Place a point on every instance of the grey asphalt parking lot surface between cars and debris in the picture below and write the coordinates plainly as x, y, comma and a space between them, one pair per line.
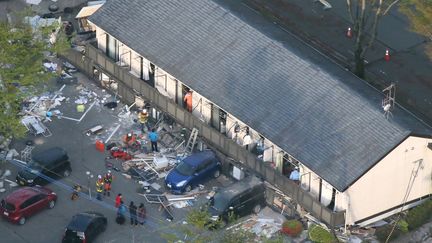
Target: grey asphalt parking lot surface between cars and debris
49, 225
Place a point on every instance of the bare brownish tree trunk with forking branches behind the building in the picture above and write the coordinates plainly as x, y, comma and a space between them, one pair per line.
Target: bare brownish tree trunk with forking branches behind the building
365, 16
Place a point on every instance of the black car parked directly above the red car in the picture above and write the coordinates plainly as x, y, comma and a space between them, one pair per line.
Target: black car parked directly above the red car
51, 163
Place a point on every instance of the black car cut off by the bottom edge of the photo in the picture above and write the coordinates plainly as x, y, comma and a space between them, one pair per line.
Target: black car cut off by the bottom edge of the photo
85, 227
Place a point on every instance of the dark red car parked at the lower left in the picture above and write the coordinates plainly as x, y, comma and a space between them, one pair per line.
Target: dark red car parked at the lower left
26, 201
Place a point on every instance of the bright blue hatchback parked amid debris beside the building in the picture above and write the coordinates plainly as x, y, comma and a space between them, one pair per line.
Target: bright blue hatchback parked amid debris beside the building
192, 171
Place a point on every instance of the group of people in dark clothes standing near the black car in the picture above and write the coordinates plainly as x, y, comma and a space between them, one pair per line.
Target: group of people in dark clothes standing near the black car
137, 215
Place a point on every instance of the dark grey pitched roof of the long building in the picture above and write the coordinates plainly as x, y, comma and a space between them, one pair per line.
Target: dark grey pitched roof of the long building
313, 109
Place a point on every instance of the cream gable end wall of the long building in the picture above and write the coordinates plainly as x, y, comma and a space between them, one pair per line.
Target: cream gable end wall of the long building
386, 184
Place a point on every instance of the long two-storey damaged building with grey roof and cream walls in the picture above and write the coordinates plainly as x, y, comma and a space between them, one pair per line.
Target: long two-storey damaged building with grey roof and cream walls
284, 104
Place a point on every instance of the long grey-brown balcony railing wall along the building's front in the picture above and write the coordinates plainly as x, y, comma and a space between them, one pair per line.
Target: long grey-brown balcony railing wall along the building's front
129, 86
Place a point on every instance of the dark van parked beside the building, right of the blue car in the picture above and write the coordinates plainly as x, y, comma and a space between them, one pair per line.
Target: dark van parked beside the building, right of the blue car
240, 199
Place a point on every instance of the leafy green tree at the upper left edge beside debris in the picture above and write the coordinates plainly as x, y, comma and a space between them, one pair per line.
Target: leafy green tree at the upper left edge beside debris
21, 54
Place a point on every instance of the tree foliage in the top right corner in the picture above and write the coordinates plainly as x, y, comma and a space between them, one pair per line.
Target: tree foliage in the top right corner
419, 13
